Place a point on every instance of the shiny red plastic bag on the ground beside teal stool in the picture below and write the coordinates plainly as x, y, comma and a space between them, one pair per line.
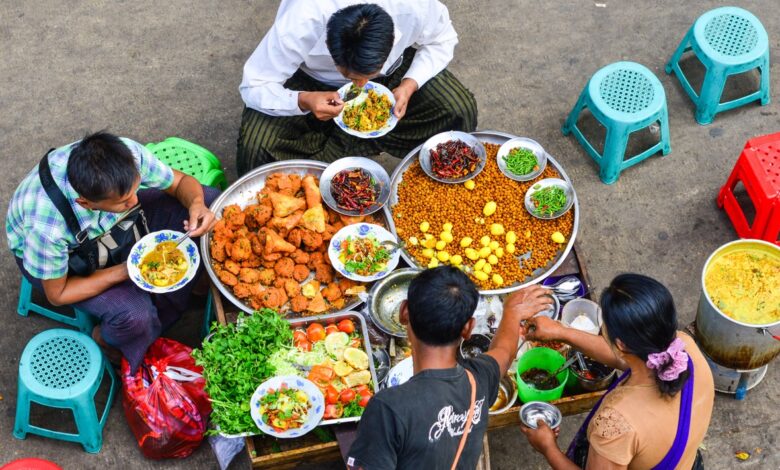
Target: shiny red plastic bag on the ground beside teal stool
165, 402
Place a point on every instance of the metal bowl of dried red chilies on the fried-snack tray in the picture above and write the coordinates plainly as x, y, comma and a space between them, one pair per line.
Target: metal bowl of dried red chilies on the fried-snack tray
355, 186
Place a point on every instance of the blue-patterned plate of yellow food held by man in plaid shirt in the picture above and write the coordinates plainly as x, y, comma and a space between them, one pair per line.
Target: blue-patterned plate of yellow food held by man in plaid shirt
157, 265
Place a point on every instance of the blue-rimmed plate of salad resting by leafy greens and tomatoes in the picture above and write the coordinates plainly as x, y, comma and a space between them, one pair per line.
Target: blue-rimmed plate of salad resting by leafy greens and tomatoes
287, 407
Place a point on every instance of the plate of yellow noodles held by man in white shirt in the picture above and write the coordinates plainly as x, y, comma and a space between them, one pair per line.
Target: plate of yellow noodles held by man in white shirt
370, 115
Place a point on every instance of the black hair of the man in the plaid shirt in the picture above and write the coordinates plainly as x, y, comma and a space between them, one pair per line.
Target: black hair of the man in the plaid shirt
101, 166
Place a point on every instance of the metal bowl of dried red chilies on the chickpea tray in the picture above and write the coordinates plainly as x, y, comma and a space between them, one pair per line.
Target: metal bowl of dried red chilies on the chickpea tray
452, 157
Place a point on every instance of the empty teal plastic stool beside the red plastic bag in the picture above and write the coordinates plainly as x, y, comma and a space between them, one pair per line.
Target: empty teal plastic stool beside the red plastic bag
63, 368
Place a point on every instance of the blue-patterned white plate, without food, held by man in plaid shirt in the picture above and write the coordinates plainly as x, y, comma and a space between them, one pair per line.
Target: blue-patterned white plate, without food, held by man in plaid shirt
145, 245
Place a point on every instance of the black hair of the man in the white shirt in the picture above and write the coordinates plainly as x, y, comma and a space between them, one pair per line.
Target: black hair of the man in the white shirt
360, 37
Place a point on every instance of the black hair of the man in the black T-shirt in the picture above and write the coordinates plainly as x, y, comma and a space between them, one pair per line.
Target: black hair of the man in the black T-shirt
441, 301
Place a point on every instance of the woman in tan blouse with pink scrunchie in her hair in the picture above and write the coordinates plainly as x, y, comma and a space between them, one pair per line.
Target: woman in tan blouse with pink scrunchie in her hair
658, 412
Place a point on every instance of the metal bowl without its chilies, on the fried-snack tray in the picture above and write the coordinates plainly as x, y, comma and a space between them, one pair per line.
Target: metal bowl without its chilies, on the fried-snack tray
378, 174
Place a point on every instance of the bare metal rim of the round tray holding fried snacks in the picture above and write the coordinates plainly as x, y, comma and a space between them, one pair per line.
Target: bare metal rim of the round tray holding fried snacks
243, 192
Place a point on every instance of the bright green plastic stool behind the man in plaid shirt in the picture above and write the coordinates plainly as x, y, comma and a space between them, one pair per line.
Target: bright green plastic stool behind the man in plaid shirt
191, 159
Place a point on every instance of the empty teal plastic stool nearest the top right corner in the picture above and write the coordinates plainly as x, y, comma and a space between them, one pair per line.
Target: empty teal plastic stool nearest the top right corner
727, 41
